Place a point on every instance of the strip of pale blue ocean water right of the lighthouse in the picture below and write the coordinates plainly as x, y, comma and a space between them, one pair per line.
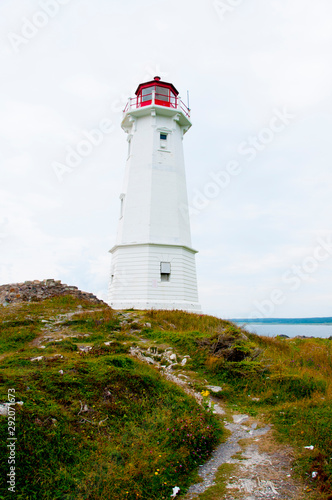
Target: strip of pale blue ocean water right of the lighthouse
272, 330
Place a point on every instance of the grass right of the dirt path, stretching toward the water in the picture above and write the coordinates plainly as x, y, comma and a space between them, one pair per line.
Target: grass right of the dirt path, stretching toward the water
287, 380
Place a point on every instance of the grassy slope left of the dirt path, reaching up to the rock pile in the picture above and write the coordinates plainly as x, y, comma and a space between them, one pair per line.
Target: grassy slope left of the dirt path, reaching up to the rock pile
96, 424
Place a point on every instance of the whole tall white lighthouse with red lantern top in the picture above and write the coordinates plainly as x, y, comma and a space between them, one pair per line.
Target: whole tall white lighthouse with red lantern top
153, 262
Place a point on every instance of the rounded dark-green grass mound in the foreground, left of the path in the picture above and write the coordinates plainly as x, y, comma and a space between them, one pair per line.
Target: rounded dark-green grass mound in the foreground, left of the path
126, 440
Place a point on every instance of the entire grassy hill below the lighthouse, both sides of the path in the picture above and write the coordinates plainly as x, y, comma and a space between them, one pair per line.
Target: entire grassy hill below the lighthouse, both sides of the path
98, 423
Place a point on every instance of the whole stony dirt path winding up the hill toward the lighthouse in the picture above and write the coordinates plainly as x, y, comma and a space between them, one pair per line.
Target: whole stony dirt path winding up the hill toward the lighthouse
250, 464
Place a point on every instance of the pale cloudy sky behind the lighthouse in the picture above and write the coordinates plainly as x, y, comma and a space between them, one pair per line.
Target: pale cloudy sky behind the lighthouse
258, 156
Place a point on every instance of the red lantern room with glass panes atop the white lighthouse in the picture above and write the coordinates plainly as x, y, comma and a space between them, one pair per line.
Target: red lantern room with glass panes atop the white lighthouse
157, 92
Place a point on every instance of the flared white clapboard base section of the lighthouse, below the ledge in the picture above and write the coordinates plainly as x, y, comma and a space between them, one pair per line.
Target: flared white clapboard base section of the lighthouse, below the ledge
153, 276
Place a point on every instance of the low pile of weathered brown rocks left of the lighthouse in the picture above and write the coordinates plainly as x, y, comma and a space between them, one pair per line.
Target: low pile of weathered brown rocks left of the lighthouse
31, 291
